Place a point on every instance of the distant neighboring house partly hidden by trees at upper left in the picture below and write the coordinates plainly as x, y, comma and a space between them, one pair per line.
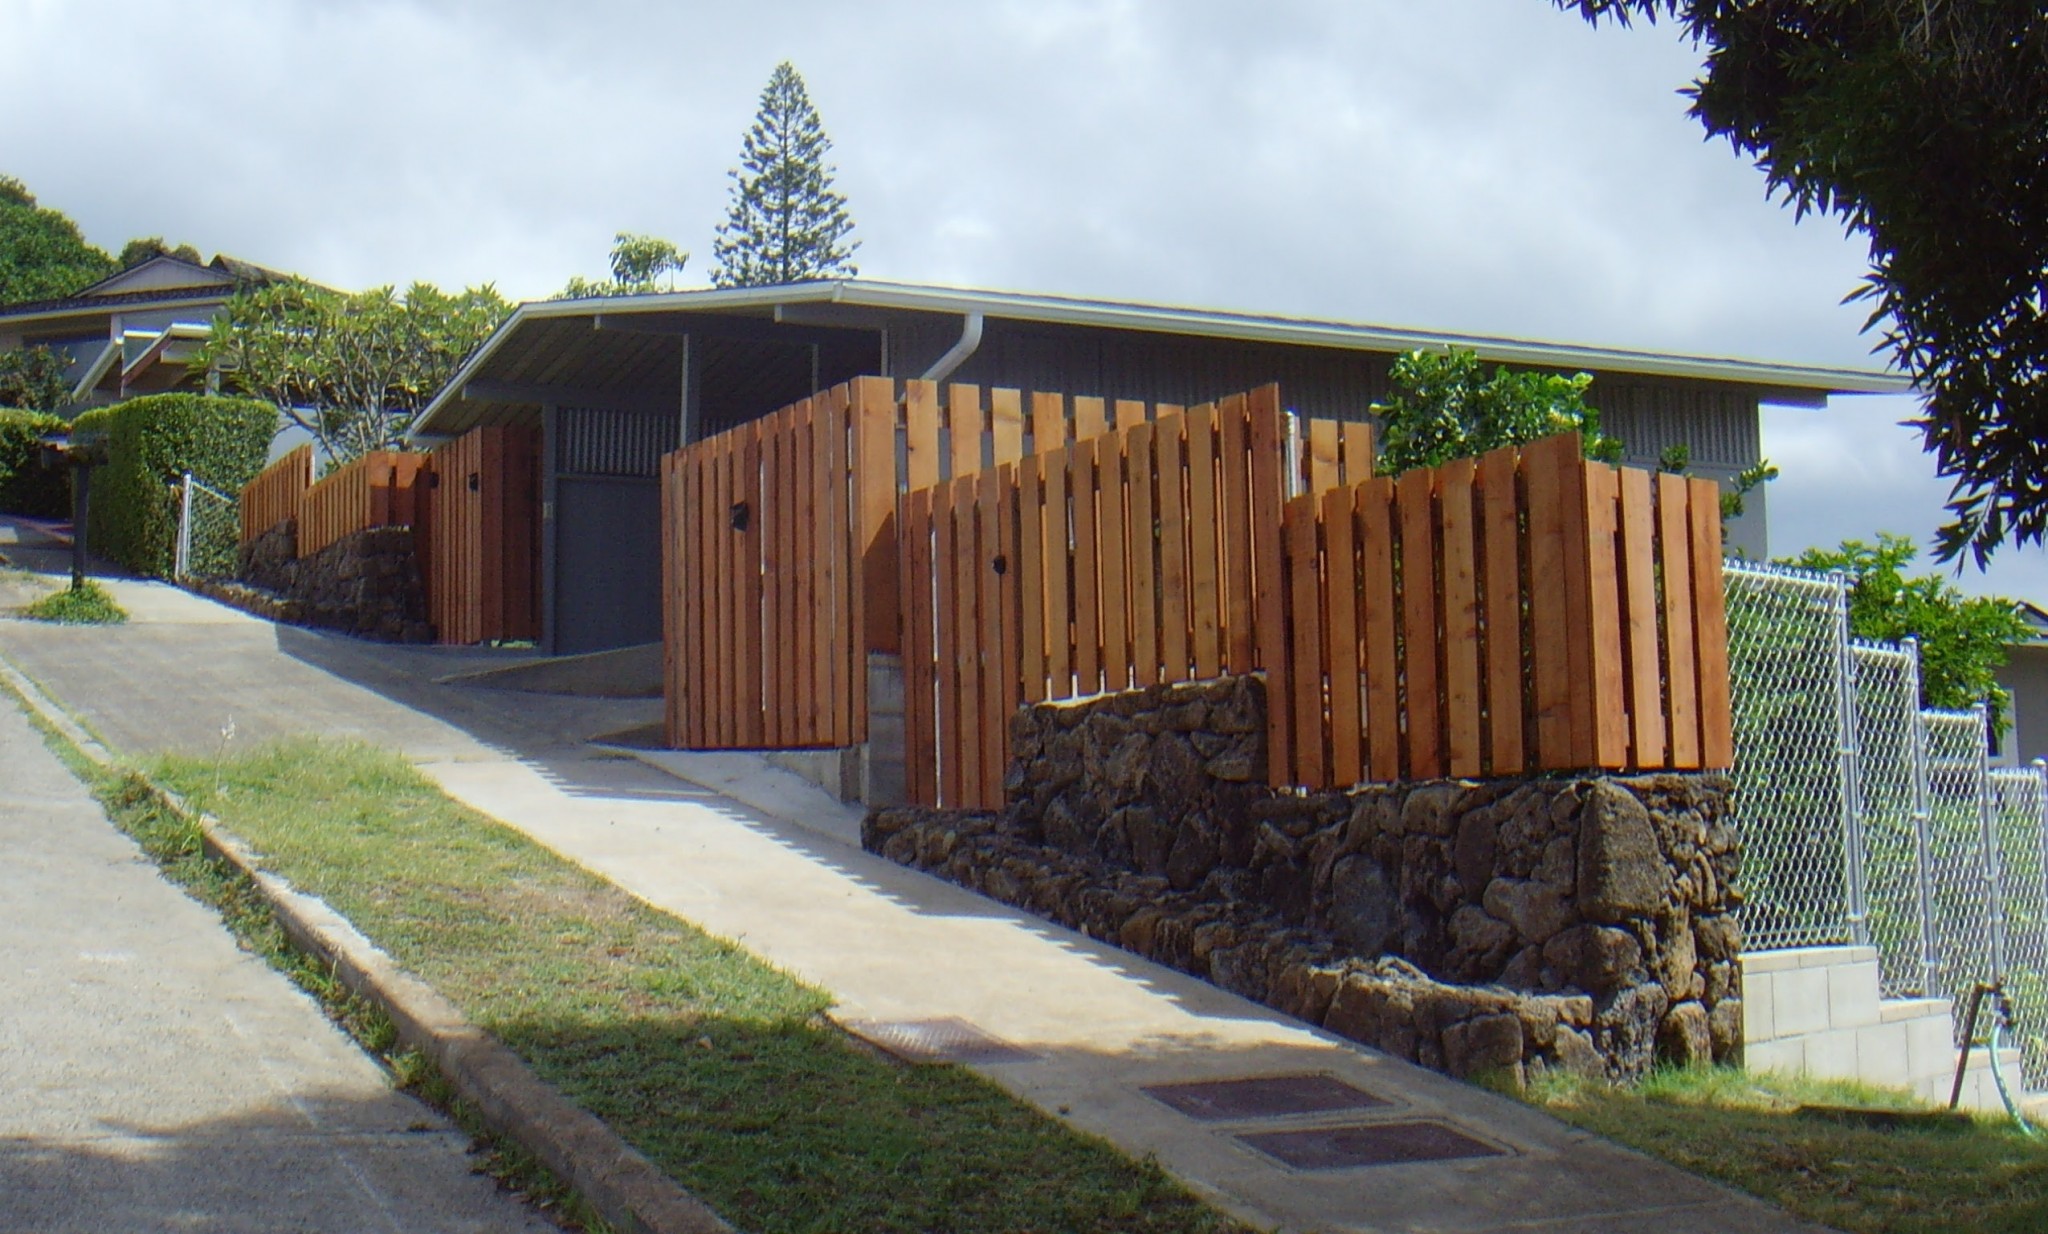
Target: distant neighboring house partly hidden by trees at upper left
132, 333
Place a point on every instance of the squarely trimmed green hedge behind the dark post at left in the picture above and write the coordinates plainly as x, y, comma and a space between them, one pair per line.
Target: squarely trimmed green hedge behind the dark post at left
153, 443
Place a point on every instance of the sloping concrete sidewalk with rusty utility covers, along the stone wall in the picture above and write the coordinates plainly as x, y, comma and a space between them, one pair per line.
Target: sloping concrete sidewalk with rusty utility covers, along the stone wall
1080, 1028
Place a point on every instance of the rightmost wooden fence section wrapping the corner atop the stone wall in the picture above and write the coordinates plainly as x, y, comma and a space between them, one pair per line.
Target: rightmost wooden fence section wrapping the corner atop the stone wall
1523, 613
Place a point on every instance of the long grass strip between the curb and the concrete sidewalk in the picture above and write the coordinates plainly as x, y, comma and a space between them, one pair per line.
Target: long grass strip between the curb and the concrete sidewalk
716, 1065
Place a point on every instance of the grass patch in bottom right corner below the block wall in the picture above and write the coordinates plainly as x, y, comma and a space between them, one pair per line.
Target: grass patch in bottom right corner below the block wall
1791, 1141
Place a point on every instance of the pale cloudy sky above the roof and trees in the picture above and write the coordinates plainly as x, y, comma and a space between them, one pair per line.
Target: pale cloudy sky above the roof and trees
1486, 167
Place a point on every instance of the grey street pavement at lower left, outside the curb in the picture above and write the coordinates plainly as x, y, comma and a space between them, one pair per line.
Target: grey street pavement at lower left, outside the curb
163, 1079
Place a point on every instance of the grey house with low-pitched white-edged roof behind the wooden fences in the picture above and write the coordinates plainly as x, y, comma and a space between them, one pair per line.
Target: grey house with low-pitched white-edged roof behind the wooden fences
615, 384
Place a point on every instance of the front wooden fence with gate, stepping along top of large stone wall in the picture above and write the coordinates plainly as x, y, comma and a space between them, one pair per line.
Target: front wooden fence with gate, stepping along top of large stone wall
1523, 613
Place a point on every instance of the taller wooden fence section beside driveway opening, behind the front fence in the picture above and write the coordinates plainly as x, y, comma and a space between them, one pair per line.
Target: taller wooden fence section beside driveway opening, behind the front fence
781, 560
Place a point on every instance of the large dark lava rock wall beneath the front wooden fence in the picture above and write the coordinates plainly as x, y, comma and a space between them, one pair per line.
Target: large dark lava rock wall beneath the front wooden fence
1580, 922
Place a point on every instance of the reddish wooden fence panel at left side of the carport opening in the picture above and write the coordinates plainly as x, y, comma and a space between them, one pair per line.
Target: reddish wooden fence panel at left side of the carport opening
480, 537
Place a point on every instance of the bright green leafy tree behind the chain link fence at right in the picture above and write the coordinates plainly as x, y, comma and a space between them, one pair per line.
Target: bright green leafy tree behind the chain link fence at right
1961, 640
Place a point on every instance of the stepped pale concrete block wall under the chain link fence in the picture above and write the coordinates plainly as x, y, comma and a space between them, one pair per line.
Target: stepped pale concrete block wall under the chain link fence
1820, 1012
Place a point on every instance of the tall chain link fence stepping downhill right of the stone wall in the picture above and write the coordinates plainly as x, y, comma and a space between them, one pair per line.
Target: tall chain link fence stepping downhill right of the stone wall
1873, 822
